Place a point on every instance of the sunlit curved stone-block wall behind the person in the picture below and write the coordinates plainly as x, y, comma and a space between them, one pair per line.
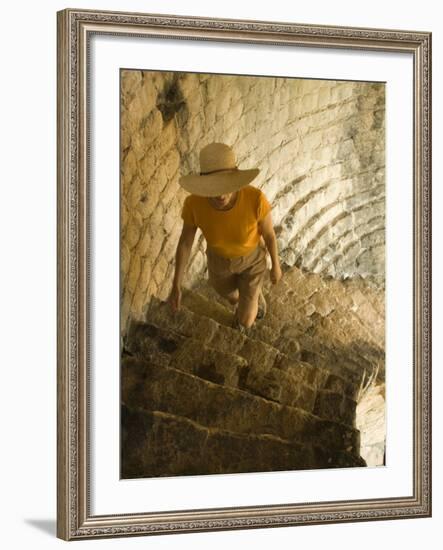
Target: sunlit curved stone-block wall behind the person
320, 147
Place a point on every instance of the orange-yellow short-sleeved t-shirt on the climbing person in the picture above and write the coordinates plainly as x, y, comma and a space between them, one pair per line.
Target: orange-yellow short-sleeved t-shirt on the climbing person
230, 233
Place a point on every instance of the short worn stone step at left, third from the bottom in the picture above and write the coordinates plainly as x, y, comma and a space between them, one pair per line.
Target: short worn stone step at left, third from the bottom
165, 347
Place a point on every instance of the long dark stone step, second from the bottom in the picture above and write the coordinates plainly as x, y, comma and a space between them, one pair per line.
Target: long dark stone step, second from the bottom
157, 387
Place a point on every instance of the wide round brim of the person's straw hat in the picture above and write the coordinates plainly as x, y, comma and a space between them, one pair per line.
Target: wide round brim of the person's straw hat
219, 183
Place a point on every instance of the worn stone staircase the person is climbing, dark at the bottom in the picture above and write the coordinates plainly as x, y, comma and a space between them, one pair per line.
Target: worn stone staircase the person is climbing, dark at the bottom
198, 397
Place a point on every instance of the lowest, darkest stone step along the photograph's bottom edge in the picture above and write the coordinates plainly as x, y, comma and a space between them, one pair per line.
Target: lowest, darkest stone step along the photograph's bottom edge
156, 444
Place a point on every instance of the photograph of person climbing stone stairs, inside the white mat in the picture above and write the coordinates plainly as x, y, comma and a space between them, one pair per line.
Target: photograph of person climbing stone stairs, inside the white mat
252, 273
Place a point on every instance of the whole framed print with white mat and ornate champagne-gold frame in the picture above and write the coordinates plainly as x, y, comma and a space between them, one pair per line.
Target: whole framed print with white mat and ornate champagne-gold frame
243, 274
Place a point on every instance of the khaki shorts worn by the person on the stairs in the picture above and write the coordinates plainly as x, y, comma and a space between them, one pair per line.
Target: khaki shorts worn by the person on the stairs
244, 274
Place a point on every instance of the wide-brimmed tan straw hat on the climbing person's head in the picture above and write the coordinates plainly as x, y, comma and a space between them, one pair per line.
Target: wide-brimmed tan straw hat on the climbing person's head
219, 173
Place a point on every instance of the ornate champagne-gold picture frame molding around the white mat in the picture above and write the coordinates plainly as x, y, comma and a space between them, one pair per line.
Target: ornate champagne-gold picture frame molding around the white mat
74, 519
